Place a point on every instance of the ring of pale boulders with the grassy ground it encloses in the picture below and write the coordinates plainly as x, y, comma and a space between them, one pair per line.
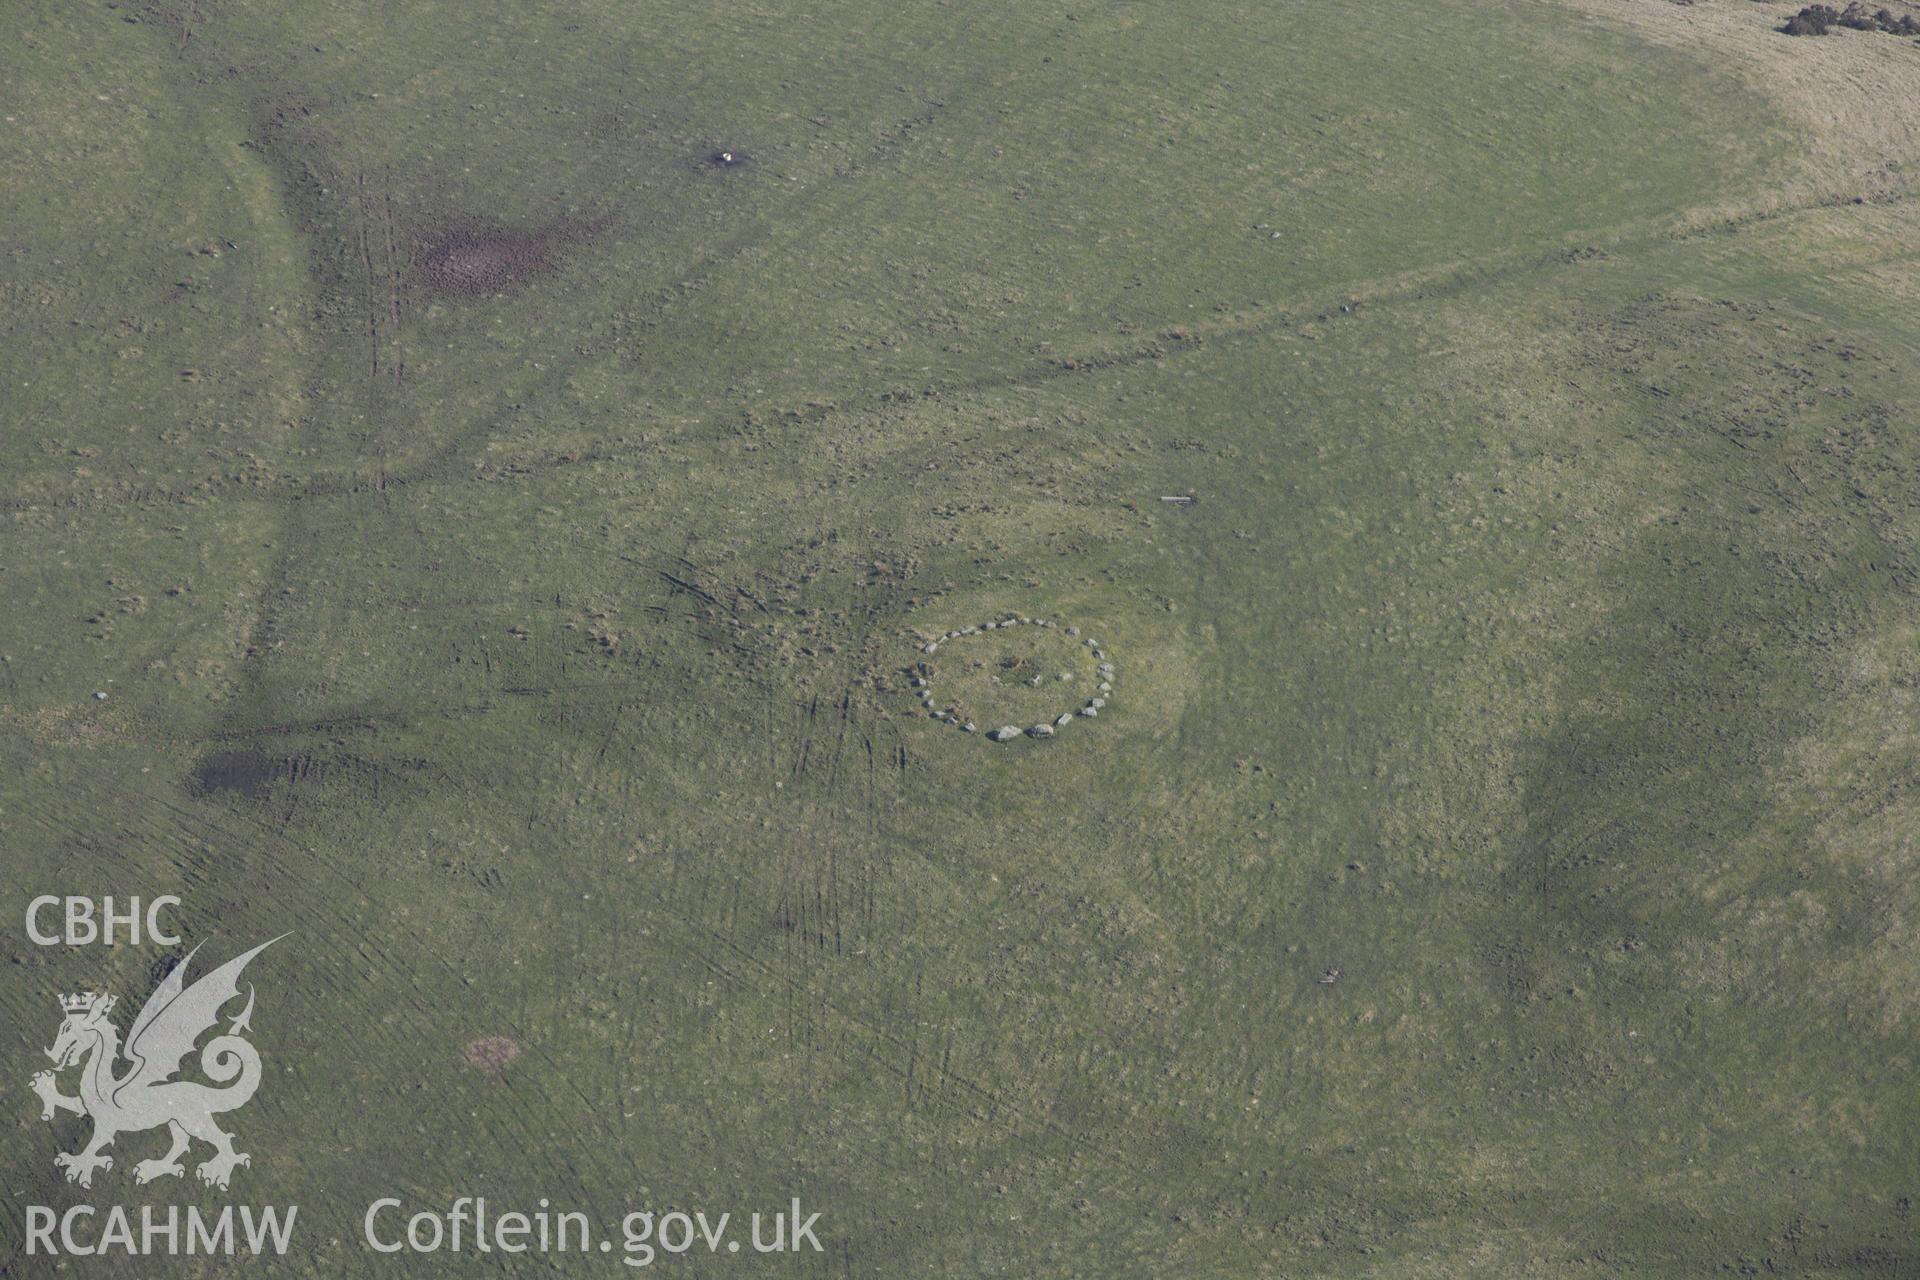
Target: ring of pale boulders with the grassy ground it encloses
1015, 671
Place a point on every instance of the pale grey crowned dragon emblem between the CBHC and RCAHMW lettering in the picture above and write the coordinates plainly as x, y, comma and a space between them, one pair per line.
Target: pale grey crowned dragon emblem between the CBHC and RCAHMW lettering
145, 1097
